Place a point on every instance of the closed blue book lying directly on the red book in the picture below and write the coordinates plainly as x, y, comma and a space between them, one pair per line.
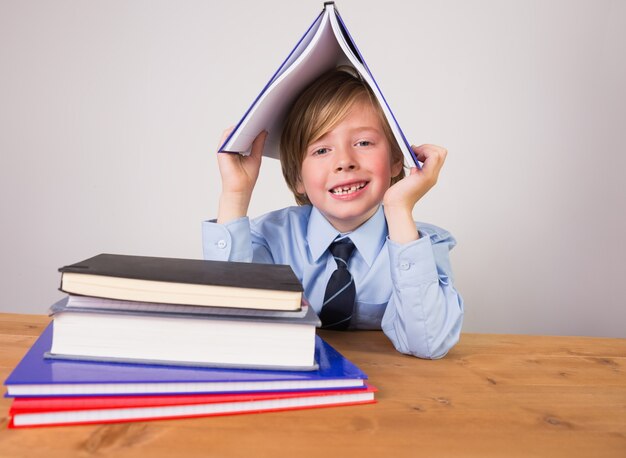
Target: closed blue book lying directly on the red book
36, 376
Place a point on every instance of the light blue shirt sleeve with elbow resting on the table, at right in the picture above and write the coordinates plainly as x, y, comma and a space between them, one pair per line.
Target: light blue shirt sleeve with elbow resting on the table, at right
425, 313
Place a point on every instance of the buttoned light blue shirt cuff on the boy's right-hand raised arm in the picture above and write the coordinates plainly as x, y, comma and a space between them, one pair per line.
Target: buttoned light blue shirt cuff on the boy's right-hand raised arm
413, 263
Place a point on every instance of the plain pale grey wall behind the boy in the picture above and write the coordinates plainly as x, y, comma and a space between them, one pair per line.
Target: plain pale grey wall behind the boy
110, 112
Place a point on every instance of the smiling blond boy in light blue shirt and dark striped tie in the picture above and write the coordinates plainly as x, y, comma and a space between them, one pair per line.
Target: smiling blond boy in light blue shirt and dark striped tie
343, 165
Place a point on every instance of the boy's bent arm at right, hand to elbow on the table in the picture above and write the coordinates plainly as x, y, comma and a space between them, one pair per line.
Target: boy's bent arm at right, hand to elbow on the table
424, 314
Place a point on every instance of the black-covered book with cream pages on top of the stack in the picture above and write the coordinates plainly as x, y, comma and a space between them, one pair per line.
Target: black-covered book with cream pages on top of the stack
184, 281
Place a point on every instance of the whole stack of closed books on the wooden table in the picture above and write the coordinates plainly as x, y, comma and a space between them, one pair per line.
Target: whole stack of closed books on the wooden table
142, 338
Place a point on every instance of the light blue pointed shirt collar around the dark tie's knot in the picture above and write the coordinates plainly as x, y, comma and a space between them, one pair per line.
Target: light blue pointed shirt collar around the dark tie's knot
368, 238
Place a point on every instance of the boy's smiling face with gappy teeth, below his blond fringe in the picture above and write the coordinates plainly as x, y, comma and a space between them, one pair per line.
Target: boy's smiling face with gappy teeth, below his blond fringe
346, 173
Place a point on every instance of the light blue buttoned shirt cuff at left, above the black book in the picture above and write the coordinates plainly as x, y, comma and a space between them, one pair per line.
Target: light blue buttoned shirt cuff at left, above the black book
227, 242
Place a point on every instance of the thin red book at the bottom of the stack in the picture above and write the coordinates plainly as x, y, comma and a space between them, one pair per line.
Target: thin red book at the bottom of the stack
29, 412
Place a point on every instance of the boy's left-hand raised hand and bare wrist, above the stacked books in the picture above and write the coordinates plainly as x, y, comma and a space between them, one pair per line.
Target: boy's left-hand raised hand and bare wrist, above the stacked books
239, 174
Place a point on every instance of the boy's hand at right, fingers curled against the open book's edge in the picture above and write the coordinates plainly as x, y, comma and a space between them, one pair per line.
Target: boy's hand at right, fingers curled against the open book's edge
405, 193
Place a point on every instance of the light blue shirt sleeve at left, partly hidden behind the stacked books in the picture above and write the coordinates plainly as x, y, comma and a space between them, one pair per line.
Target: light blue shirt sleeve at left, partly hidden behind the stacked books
233, 241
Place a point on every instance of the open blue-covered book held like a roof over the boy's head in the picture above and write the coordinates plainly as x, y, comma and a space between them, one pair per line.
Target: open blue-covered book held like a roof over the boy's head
325, 45
